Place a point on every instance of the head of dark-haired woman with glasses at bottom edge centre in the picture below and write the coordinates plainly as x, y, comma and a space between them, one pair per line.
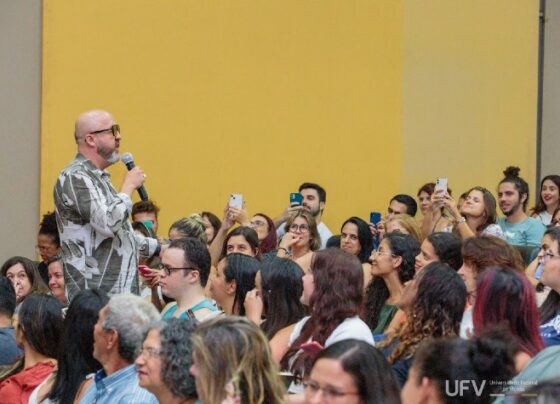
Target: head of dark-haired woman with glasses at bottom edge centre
351, 371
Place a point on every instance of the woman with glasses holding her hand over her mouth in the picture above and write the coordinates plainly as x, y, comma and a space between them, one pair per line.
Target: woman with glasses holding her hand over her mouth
300, 240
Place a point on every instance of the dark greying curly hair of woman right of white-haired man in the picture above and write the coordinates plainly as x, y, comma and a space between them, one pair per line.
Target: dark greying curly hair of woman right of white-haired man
176, 356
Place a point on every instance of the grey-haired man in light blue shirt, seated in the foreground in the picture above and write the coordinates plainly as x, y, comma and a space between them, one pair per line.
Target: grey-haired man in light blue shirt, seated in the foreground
117, 338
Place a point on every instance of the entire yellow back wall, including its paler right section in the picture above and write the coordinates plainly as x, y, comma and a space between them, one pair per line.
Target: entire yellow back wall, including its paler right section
368, 98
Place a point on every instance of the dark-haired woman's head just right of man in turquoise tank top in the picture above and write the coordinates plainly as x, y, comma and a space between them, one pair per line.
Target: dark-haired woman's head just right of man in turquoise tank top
233, 278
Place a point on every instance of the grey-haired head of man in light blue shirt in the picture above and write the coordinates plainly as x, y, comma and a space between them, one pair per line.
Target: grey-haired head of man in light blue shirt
121, 326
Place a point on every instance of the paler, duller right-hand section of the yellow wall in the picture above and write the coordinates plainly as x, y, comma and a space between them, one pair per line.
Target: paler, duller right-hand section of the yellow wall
469, 91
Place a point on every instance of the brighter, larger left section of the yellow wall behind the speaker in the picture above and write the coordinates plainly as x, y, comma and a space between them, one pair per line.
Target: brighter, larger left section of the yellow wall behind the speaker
215, 97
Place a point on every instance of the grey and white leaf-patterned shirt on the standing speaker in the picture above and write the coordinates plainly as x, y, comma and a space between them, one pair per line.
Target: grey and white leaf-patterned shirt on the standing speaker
99, 247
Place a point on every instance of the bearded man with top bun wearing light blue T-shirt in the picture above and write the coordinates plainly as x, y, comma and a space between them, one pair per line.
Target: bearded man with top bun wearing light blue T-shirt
519, 229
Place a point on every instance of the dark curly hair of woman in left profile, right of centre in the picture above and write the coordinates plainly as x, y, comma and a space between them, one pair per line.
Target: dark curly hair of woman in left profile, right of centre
377, 293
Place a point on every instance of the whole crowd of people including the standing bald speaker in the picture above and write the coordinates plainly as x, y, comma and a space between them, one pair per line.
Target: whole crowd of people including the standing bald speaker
454, 305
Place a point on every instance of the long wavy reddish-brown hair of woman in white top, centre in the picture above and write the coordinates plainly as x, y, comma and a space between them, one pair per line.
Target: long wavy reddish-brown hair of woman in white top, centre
338, 283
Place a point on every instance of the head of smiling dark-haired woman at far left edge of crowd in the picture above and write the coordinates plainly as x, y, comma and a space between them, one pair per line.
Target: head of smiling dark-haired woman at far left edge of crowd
23, 274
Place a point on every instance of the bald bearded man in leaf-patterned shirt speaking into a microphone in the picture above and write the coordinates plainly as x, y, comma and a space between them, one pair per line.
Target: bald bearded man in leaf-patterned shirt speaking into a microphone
99, 247
